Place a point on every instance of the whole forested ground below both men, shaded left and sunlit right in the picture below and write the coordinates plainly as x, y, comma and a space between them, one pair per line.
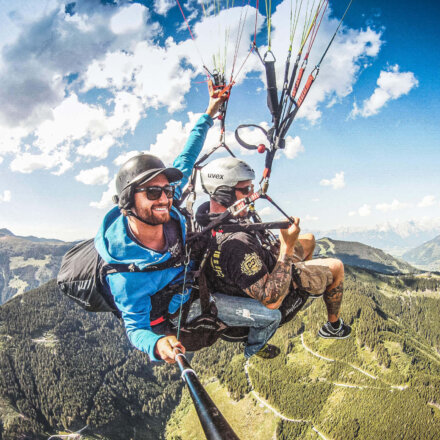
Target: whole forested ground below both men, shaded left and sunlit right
63, 368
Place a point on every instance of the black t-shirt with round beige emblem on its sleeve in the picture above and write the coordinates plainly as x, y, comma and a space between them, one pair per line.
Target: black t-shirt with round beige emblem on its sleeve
239, 261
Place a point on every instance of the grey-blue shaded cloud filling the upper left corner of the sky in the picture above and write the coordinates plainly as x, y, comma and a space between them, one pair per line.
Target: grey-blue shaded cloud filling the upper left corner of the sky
57, 45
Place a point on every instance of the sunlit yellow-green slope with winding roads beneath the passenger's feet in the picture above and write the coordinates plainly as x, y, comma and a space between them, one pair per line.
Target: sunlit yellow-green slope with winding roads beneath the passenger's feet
381, 383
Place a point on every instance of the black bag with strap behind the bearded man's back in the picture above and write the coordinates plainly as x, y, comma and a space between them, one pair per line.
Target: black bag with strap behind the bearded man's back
82, 277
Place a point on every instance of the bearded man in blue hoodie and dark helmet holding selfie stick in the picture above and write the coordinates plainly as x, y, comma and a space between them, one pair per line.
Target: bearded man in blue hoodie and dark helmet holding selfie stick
147, 232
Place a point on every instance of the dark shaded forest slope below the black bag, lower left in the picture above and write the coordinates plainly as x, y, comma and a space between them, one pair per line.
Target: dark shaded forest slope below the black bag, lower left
63, 368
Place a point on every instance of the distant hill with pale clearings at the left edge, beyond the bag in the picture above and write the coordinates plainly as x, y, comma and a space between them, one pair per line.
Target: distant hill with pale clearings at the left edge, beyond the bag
27, 262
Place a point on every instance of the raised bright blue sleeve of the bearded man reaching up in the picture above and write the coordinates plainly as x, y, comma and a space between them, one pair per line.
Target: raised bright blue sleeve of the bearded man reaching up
187, 158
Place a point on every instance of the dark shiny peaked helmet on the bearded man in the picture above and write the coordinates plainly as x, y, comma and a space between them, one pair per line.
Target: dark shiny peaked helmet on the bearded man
136, 171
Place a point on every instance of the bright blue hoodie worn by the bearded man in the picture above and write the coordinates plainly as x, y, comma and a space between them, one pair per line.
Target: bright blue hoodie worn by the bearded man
132, 291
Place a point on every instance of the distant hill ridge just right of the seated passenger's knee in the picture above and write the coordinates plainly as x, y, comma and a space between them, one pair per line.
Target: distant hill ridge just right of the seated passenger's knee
361, 255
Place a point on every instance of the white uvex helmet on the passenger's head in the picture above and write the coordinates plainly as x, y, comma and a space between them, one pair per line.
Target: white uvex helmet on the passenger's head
220, 176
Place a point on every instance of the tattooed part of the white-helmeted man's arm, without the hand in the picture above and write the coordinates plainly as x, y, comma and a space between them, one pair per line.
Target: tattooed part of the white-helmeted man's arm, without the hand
273, 287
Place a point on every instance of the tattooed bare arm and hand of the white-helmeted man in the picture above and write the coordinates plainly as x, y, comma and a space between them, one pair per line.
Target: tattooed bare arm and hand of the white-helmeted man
274, 287
